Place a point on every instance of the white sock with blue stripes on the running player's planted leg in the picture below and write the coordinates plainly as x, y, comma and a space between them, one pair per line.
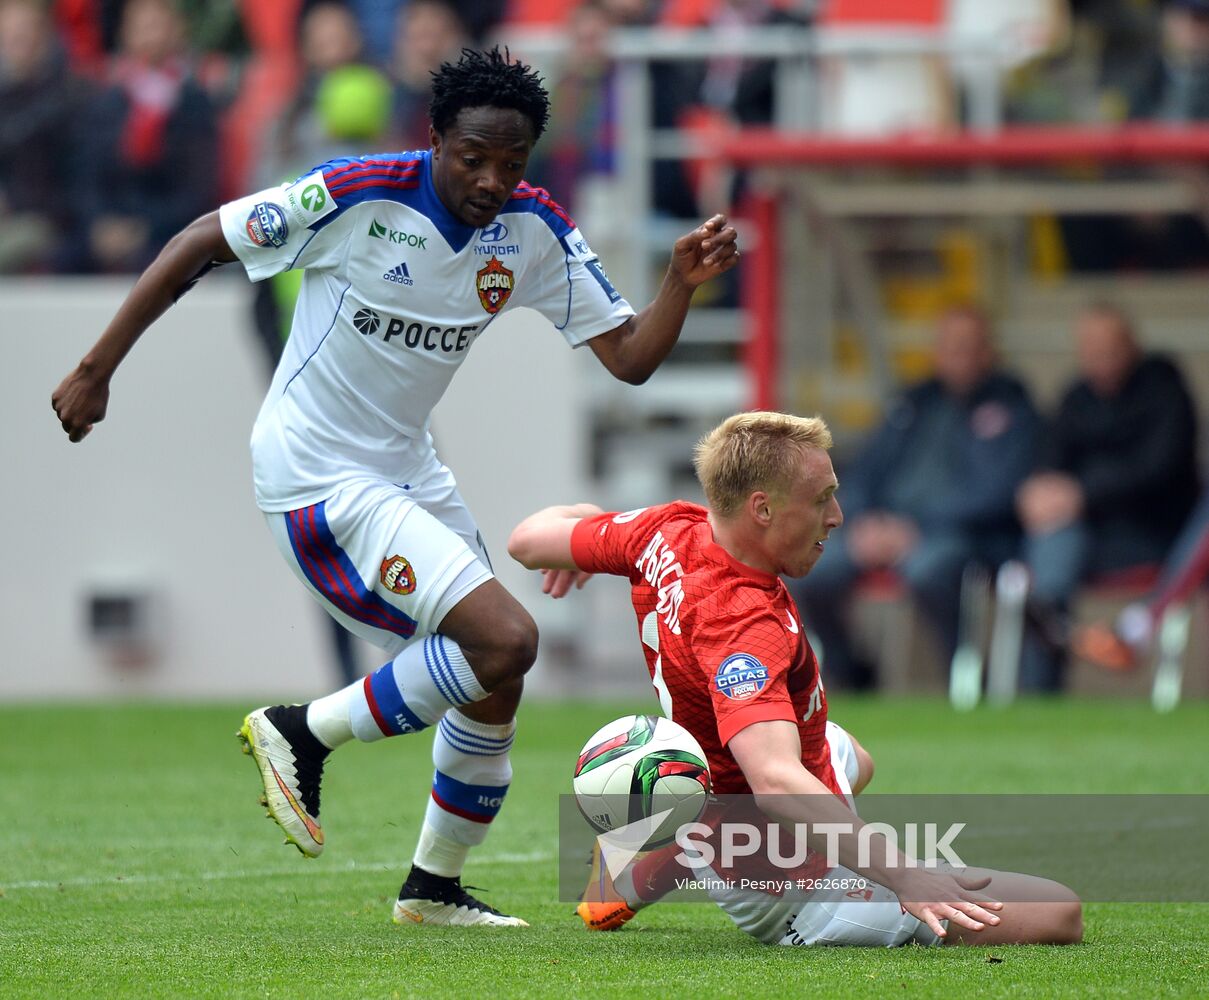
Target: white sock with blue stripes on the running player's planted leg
471, 781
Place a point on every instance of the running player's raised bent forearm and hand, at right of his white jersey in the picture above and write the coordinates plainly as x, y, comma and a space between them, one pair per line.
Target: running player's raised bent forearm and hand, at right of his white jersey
633, 351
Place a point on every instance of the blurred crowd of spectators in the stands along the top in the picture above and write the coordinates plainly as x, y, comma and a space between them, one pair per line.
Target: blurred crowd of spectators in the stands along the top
122, 120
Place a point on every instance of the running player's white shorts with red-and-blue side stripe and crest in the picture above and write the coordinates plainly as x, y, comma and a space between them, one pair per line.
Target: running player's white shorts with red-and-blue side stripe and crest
387, 560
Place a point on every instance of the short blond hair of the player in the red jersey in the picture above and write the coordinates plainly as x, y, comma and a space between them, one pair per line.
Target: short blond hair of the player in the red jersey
754, 452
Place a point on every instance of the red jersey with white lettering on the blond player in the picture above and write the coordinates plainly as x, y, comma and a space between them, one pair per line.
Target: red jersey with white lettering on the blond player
722, 640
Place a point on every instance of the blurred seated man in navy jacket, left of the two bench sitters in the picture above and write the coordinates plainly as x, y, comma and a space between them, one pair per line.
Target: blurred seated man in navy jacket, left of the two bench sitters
930, 493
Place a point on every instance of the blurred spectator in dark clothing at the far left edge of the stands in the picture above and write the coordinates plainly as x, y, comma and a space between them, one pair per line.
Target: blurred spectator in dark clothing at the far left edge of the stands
41, 101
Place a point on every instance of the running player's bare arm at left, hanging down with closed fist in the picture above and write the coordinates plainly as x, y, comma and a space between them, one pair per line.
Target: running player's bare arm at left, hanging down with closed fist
83, 397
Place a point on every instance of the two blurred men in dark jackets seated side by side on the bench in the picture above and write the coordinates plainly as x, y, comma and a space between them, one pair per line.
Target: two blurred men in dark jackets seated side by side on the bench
965, 471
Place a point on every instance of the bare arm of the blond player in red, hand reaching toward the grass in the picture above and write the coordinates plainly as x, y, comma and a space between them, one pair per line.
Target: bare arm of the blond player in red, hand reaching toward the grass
771, 758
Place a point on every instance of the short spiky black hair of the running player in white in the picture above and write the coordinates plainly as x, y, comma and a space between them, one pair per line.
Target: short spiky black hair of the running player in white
488, 80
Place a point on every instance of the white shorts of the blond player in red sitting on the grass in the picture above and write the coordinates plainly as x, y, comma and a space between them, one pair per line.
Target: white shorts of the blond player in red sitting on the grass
834, 915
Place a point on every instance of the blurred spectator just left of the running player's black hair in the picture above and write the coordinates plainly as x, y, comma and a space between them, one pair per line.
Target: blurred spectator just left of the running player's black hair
429, 33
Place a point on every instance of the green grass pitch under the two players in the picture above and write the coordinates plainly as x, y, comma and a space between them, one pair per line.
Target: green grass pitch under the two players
136, 863
